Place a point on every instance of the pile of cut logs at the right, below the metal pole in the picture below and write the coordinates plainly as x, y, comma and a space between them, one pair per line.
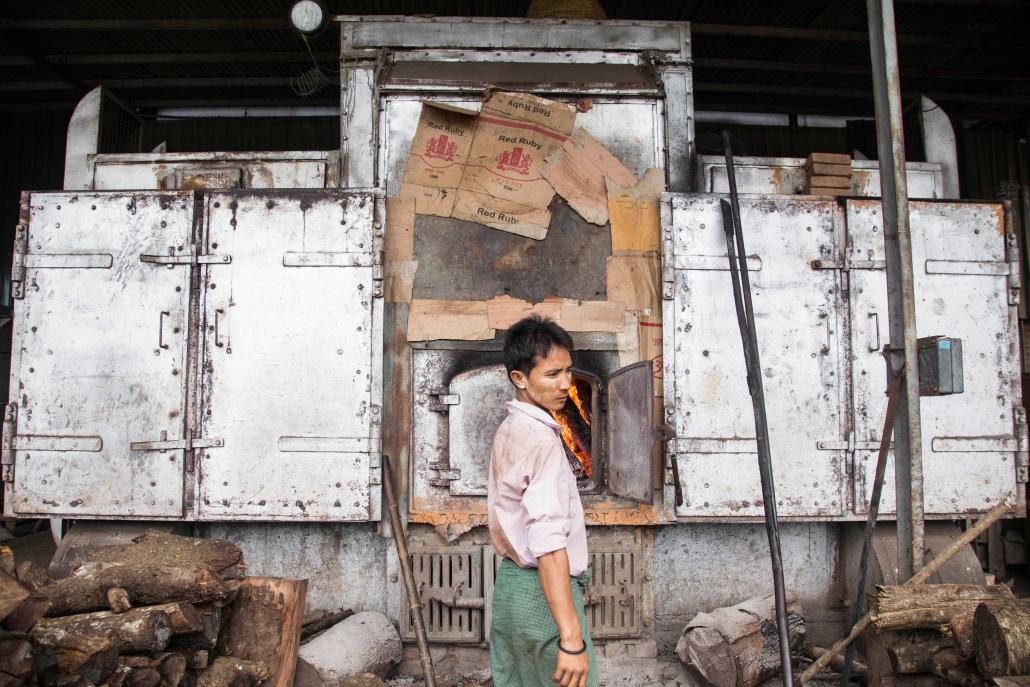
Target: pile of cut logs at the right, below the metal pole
963, 634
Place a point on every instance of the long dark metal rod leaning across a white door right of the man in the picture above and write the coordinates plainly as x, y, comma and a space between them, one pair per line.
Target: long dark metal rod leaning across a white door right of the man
749, 336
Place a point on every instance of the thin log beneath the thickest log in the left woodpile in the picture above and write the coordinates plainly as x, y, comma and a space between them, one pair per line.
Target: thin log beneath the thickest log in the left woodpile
139, 630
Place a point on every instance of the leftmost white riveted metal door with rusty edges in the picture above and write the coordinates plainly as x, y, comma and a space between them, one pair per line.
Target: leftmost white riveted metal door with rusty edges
99, 357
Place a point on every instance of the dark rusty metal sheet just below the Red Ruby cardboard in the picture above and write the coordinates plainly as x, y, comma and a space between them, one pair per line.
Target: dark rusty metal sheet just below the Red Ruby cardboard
469, 262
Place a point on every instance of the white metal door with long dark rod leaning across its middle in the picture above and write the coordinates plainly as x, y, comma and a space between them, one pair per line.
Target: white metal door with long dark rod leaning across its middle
800, 321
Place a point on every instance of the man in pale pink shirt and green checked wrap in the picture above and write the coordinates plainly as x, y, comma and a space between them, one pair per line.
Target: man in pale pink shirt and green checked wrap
539, 635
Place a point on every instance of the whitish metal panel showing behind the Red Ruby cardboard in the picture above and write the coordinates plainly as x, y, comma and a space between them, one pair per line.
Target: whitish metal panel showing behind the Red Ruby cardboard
632, 129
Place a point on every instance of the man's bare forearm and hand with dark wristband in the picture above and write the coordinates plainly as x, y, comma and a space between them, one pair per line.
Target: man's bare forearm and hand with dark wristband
555, 578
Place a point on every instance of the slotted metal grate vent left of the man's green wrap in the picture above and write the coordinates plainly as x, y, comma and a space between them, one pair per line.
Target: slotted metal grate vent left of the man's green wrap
451, 581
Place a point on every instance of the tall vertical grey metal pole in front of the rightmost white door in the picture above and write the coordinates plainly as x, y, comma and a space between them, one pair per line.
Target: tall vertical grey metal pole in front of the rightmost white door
901, 292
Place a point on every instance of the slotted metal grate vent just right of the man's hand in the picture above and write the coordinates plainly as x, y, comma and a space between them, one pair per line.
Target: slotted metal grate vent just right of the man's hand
616, 594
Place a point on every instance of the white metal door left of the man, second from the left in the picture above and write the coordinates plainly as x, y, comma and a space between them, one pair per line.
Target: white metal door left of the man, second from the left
292, 358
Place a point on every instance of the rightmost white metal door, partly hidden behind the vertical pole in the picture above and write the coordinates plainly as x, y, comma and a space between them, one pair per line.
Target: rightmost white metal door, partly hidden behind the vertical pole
969, 440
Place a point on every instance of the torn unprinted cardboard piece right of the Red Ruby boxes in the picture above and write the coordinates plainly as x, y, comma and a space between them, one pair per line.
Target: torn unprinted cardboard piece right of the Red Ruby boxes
581, 171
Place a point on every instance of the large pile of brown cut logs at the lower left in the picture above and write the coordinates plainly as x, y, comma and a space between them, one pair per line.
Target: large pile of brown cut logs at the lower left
165, 611
